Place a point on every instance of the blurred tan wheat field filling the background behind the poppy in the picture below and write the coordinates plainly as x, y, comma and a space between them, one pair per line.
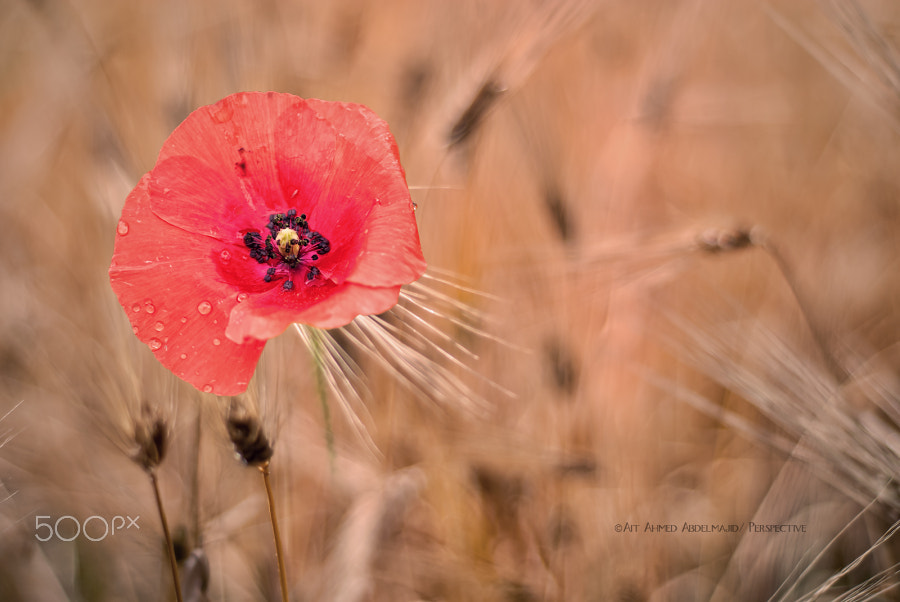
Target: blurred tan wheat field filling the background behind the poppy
667, 230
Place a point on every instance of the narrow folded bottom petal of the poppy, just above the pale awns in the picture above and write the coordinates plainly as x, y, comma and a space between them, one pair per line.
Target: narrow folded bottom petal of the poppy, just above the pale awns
252, 320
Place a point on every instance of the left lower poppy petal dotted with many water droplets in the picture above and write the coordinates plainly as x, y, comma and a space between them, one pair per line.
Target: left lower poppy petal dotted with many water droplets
164, 279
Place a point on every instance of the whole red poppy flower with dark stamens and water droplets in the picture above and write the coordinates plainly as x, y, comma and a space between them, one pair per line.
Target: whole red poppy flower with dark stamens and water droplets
263, 209
